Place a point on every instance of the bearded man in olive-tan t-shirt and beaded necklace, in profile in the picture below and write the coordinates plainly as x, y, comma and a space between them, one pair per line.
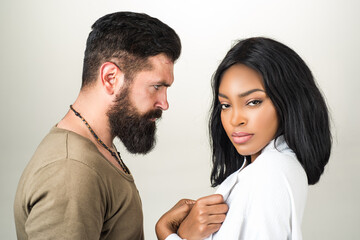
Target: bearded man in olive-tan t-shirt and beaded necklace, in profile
76, 185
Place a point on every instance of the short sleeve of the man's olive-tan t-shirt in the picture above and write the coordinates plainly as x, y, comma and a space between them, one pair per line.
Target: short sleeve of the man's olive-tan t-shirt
66, 200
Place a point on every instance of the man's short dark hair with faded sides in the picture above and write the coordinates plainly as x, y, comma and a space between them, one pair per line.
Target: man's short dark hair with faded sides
127, 39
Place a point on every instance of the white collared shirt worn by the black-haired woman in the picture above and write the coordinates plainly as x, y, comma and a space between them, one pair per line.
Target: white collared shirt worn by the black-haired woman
266, 199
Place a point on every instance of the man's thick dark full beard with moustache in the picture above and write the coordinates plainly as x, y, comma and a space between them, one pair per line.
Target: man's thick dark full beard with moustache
135, 130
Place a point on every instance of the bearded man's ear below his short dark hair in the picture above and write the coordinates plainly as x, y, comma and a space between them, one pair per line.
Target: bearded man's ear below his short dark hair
111, 77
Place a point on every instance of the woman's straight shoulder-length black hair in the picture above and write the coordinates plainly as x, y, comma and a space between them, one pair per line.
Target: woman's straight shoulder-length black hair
302, 111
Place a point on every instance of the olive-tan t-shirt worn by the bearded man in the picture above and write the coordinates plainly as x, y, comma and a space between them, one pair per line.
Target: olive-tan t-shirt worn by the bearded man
69, 190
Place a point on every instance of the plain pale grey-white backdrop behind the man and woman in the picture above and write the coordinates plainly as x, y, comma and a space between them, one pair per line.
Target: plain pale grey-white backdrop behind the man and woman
42, 45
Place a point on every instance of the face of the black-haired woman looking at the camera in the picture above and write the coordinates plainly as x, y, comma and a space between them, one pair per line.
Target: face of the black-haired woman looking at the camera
248, 115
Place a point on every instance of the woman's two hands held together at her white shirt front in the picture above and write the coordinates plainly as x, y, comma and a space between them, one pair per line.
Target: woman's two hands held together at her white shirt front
204, 218
